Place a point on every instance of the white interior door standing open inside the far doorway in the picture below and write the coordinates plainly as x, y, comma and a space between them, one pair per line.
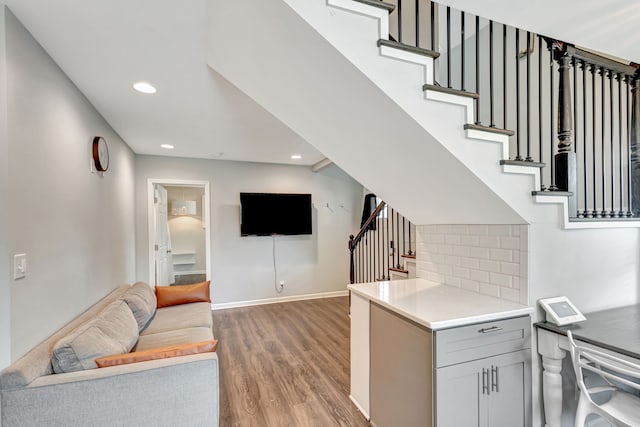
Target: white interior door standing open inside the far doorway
163, 262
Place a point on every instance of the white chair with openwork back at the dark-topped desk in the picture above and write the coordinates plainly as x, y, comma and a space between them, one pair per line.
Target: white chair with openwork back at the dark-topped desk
622, 408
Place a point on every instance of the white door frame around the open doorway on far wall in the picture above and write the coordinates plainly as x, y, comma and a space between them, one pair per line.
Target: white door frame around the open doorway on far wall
206, 219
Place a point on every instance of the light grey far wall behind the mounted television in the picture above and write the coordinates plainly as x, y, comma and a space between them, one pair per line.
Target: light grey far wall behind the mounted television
242, 267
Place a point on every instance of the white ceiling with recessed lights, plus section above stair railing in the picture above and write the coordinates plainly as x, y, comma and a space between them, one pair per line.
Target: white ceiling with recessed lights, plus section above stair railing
105, 46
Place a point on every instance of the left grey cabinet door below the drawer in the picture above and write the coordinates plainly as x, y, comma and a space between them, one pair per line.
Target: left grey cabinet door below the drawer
461, 395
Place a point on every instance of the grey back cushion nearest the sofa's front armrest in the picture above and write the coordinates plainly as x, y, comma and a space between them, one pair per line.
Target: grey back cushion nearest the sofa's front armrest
113, 331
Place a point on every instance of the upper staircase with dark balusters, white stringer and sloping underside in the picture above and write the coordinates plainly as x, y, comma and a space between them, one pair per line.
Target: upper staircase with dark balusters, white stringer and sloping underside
509, 145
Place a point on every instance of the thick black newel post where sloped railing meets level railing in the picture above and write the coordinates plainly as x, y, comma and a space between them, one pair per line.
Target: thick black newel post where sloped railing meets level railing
565, 159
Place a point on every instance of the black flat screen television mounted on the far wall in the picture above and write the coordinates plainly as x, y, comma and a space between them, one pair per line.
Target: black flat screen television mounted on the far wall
267, 214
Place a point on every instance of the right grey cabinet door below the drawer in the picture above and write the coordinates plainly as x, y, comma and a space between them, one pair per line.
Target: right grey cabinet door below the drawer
510, 394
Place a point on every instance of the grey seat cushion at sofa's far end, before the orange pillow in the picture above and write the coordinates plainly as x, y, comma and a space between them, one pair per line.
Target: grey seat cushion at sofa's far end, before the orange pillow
179, 317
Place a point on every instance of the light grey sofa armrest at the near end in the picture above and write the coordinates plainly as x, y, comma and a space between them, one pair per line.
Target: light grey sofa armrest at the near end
180, 391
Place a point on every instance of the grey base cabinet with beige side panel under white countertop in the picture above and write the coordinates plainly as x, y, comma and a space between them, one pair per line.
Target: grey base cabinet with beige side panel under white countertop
476, 375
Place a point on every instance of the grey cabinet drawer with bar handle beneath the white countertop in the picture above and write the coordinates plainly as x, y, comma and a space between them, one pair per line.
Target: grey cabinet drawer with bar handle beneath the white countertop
457, 345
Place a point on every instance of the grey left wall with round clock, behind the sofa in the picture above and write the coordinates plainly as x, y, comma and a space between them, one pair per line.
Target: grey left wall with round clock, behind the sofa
77, 228
